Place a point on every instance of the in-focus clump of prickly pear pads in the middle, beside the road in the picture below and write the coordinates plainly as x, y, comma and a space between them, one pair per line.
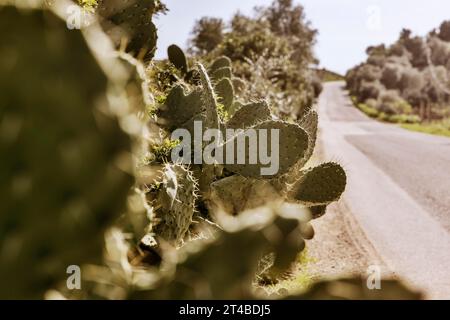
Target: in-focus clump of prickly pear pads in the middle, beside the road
188, 103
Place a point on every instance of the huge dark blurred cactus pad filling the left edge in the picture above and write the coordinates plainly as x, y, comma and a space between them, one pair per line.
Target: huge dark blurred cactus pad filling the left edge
61, 182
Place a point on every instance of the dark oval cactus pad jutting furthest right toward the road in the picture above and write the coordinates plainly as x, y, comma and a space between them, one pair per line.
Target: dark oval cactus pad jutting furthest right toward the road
321, 185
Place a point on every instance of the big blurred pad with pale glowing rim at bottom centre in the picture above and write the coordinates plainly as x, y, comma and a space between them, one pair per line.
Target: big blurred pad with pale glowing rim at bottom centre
264, 230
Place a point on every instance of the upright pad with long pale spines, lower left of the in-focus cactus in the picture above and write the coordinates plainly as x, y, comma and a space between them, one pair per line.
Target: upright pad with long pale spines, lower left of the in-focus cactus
174, 203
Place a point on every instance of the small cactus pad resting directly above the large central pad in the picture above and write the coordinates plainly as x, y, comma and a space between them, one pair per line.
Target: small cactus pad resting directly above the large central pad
249, 115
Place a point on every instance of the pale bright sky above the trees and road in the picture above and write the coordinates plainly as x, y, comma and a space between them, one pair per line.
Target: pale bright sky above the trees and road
346, 27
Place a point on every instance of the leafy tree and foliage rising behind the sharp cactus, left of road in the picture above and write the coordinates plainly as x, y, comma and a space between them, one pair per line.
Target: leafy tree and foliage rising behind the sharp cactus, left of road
272, 51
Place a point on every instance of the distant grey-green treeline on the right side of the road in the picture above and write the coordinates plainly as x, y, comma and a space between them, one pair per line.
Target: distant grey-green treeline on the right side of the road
408, 77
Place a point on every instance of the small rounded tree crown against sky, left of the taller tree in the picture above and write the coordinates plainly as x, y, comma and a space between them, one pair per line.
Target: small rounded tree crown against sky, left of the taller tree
207, 34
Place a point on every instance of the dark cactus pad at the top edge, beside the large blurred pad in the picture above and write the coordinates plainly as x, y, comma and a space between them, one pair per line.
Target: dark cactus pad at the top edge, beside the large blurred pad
130, 21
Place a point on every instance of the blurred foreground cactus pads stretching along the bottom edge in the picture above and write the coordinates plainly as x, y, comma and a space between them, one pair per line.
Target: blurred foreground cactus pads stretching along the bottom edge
224, 265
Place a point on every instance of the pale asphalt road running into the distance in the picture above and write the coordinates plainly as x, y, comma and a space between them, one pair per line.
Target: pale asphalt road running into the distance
398, 189
